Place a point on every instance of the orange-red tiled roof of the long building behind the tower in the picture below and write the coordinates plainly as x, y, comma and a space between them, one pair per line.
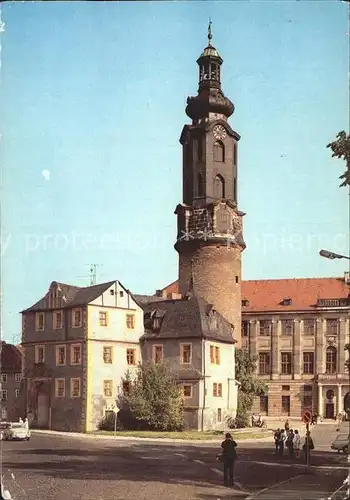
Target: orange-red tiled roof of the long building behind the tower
267, 295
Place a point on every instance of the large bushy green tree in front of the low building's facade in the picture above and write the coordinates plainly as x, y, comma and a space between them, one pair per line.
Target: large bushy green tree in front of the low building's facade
155, 398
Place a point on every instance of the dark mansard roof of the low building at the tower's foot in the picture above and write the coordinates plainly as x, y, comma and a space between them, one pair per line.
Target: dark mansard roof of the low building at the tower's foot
191, 317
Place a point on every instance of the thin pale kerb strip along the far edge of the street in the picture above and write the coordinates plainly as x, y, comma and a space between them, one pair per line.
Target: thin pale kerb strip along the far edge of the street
141, 439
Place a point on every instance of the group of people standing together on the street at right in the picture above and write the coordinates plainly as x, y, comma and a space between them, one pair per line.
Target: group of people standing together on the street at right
290, 439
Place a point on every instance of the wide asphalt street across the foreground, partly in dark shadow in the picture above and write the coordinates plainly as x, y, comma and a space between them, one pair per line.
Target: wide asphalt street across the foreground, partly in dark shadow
53, 467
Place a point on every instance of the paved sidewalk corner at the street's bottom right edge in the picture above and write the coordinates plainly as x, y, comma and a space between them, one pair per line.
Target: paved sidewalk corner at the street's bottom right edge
316, 486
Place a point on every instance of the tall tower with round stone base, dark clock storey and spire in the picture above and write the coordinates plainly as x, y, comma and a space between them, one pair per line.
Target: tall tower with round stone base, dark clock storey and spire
209, 235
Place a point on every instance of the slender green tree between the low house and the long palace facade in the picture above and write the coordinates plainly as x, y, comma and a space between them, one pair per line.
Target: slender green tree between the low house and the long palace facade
249, 387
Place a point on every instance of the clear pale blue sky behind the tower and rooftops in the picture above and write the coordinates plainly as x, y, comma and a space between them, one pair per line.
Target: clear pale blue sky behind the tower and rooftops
93, 100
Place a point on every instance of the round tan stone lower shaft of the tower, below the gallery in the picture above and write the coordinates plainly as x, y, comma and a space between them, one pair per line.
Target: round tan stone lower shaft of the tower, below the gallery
214, 273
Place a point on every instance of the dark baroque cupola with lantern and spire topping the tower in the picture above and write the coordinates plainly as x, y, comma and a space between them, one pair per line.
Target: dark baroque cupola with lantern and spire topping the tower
210, 103
